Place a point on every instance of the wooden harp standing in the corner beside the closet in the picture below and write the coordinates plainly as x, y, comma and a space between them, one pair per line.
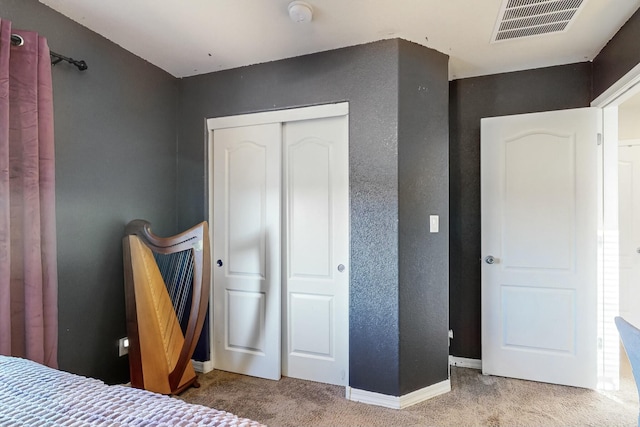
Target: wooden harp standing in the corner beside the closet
167, 283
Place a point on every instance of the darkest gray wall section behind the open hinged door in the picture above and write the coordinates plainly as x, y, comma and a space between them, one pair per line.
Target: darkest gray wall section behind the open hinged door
543, 89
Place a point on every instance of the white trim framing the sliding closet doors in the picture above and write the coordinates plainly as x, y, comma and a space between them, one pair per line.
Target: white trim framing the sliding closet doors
283, 116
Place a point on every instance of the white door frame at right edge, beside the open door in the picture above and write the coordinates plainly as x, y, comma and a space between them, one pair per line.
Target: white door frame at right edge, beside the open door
608, 285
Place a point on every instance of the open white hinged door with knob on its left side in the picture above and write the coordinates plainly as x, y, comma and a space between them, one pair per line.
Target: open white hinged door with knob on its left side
539, 194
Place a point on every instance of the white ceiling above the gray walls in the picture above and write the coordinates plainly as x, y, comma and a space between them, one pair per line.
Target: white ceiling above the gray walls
190, 37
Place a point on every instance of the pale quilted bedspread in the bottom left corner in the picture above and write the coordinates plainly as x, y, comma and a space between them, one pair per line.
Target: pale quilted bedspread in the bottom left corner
34, 395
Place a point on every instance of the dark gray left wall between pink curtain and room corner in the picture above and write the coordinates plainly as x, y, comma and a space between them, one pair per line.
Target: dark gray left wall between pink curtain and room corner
115, 161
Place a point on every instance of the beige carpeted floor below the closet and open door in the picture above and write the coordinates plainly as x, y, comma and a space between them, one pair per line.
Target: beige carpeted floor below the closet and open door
475, 400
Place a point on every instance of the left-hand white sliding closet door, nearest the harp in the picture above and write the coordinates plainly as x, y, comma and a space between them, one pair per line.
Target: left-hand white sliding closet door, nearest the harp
246, 249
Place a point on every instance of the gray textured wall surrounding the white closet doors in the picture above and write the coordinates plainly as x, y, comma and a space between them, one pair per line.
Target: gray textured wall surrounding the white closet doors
367, 77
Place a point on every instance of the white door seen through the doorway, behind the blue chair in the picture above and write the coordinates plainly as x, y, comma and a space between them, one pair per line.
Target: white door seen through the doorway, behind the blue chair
629, 222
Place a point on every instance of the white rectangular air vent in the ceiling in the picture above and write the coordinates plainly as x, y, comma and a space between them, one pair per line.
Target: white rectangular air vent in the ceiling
525, 18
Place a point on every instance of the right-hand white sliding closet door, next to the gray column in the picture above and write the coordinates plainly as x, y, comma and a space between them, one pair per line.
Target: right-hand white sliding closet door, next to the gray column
316, 298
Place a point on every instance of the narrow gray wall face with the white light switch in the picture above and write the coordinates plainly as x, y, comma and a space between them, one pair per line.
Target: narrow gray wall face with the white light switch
423, 190
